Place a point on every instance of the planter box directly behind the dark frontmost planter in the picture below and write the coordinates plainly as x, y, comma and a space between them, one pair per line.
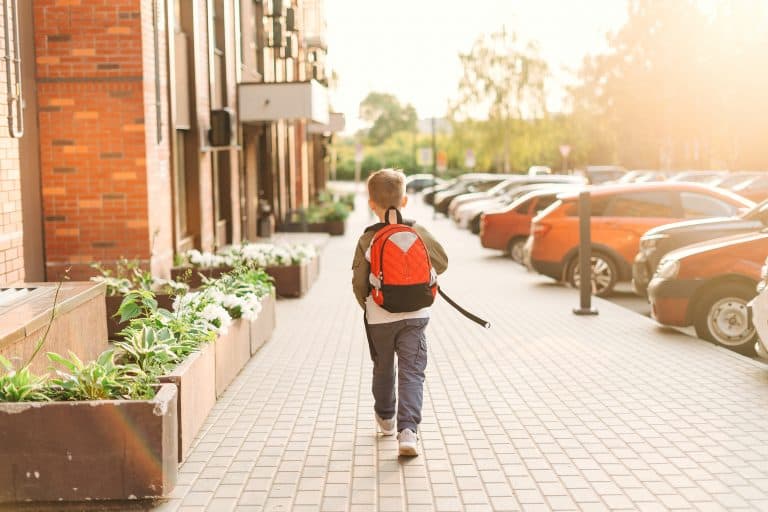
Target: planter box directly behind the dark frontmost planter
195, 381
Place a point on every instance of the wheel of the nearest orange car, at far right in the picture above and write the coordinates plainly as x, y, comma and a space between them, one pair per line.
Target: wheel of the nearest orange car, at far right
721, 317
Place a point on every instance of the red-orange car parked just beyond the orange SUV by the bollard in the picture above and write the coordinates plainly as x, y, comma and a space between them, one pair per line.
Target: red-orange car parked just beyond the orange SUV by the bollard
507, 229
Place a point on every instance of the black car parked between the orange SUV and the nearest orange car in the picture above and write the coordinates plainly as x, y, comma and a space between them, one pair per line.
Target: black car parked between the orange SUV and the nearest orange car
660, 240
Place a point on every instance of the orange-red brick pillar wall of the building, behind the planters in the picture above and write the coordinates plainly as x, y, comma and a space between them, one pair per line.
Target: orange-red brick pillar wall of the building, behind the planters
100, 160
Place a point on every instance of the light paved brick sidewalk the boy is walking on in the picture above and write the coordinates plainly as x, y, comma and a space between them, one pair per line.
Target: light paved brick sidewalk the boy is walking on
545, 411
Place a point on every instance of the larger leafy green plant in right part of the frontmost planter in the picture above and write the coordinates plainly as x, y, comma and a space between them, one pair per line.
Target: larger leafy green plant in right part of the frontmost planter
102, 379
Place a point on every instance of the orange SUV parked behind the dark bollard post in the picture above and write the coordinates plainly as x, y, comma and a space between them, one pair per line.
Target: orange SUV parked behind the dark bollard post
621, 214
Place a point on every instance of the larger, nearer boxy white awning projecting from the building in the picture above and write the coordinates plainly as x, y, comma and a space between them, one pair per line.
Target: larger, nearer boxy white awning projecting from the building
278, 101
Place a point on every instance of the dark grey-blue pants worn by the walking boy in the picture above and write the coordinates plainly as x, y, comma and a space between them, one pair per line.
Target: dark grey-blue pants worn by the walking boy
407, 339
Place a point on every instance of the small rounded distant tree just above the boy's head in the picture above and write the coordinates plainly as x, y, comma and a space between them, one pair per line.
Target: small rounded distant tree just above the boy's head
387, 115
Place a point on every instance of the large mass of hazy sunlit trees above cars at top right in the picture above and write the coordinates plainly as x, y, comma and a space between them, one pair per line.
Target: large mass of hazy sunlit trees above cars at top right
679, 87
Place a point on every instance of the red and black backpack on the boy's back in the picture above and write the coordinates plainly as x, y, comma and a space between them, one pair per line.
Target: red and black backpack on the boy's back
402, 278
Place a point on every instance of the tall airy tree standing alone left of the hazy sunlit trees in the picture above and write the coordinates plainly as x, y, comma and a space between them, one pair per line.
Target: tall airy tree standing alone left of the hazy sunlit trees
503, 81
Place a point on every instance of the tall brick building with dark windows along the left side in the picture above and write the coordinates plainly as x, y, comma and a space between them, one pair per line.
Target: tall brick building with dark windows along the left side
142, 138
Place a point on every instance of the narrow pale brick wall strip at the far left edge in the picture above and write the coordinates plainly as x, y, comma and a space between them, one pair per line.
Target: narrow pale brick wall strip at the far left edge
11, 234
